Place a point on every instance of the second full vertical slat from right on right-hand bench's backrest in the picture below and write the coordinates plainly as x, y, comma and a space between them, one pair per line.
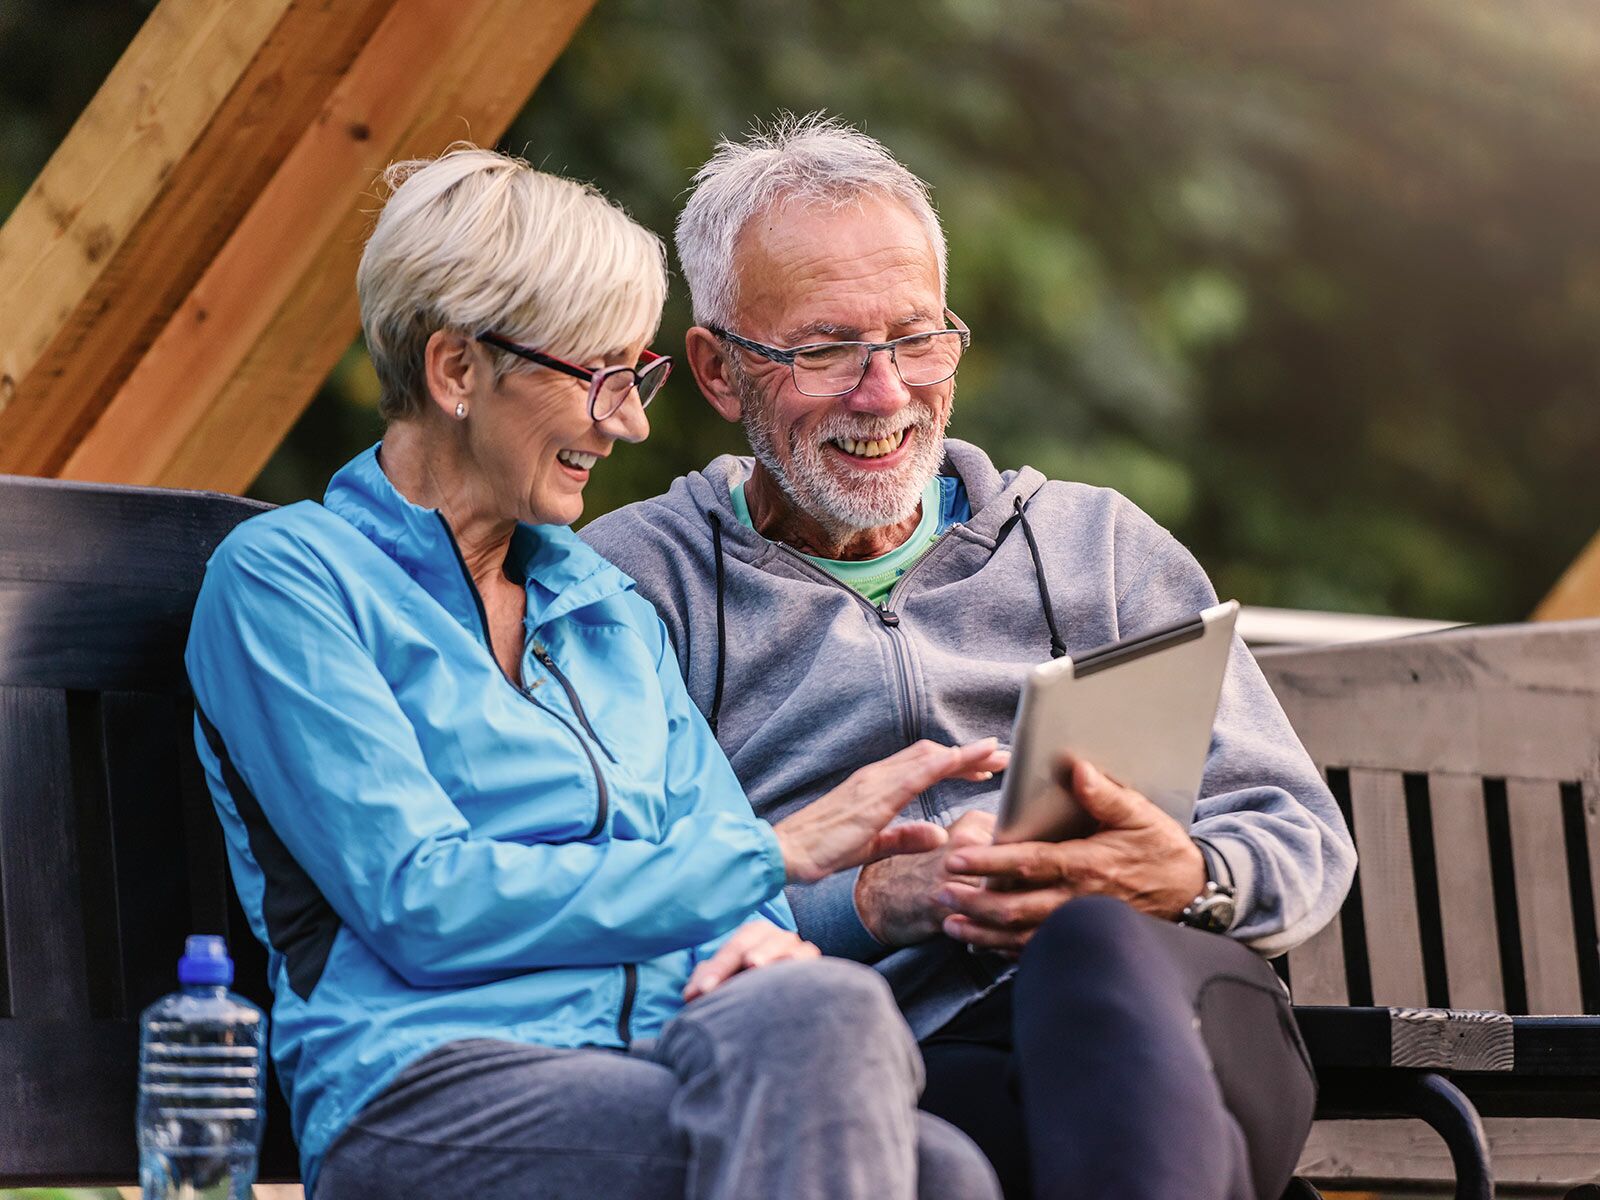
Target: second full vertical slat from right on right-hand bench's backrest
1466, 897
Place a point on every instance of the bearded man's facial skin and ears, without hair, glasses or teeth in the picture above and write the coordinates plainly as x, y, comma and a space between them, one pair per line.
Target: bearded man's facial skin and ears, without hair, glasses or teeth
862, 273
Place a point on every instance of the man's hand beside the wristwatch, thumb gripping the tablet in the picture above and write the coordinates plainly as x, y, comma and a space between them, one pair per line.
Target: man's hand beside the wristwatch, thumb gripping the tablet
1138, 855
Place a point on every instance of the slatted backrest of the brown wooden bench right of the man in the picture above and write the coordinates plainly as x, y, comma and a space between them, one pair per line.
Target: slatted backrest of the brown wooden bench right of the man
1468, 766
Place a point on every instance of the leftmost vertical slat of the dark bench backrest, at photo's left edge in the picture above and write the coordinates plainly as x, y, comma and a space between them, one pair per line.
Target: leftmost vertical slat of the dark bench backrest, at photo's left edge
41, 905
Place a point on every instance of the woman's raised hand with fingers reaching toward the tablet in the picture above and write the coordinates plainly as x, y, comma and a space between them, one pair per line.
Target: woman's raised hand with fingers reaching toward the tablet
846, 828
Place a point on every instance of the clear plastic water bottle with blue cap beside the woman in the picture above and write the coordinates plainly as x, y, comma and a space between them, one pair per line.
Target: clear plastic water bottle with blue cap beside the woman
201, 1084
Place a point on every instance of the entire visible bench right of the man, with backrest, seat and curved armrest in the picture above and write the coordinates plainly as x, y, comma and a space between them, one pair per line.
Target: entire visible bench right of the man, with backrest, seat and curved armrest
1465, 964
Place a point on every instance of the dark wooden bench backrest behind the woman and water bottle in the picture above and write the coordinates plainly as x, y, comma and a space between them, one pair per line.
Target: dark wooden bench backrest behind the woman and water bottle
110, 850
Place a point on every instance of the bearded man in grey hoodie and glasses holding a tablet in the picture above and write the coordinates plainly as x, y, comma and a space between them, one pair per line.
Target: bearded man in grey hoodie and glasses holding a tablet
865, 583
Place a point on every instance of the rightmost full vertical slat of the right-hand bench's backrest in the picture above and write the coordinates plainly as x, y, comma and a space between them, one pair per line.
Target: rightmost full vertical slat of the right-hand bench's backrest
1543, 897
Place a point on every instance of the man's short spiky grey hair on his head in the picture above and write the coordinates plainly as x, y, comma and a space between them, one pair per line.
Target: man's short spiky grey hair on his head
814, 159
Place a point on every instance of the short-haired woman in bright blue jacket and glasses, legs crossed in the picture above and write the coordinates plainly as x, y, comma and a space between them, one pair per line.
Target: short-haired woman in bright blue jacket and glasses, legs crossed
527, 938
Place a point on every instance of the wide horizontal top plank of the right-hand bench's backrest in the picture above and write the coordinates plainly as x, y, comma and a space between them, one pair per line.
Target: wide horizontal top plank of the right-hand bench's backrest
1516, 702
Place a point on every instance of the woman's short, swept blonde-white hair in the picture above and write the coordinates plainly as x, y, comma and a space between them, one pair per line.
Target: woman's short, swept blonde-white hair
479, 241
